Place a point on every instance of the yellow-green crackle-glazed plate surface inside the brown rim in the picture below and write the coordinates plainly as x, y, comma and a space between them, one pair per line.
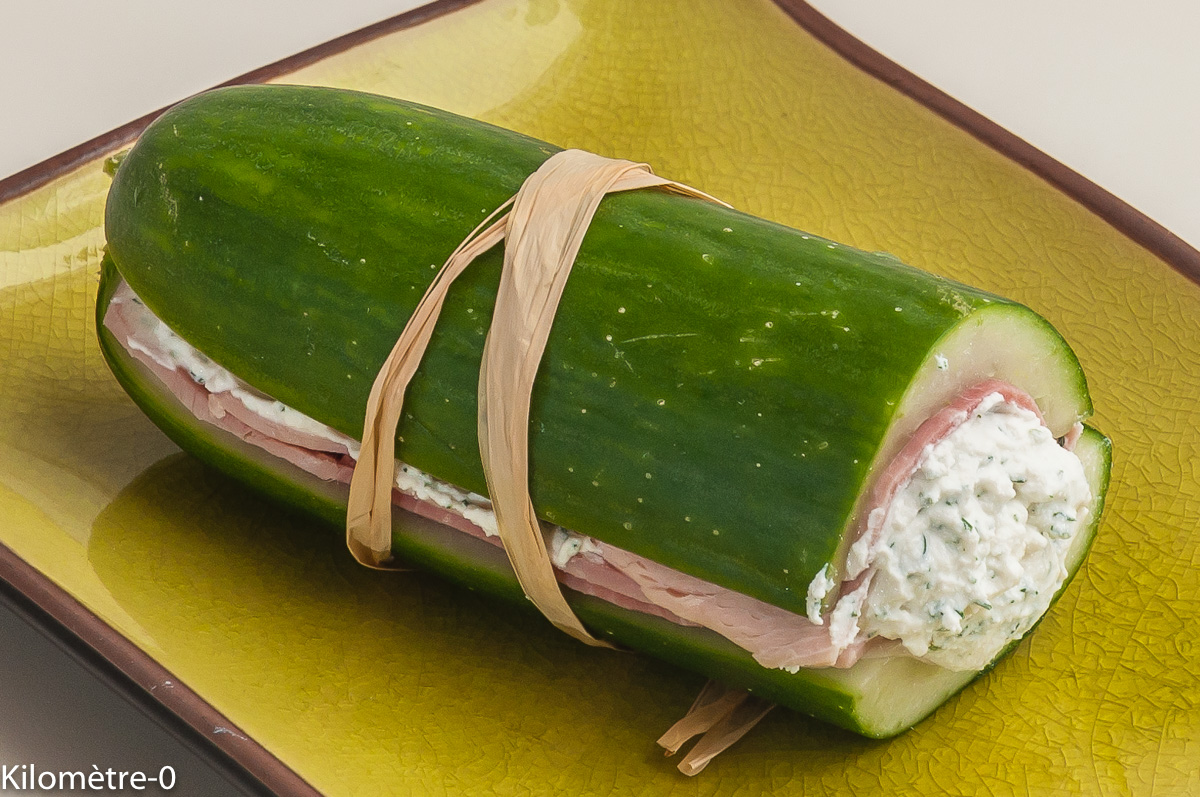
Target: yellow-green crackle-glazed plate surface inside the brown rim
381, 684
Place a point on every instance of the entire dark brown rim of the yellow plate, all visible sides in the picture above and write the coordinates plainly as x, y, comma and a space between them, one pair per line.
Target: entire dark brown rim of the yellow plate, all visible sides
74, 619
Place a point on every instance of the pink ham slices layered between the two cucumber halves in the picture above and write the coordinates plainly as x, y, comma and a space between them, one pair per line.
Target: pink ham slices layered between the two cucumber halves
775, 637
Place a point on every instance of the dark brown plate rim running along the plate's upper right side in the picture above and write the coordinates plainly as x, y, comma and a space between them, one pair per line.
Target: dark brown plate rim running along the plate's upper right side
1133, 224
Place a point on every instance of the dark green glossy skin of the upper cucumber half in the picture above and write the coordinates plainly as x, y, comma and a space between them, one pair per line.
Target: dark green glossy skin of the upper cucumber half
289, 233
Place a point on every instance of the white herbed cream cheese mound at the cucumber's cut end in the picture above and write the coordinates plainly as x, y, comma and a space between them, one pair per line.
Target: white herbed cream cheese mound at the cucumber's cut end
974, 546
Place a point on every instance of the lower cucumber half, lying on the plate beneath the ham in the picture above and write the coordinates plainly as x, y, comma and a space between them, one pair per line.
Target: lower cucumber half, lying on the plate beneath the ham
877, 698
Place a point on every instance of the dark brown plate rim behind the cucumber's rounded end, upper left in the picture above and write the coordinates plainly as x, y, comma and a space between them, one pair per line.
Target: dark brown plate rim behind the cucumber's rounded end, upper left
39, 175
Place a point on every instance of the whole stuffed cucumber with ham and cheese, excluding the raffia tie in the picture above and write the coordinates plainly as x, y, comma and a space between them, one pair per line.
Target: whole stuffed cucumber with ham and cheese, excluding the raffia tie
727, 415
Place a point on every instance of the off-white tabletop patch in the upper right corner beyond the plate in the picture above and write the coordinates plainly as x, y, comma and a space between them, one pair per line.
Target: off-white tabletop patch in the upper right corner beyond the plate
1109, 88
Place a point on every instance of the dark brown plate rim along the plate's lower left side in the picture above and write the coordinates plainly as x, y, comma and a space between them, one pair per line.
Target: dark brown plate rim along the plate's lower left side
46, 606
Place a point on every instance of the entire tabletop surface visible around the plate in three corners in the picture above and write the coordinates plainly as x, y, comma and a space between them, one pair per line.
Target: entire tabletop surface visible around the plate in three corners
1112, 91
